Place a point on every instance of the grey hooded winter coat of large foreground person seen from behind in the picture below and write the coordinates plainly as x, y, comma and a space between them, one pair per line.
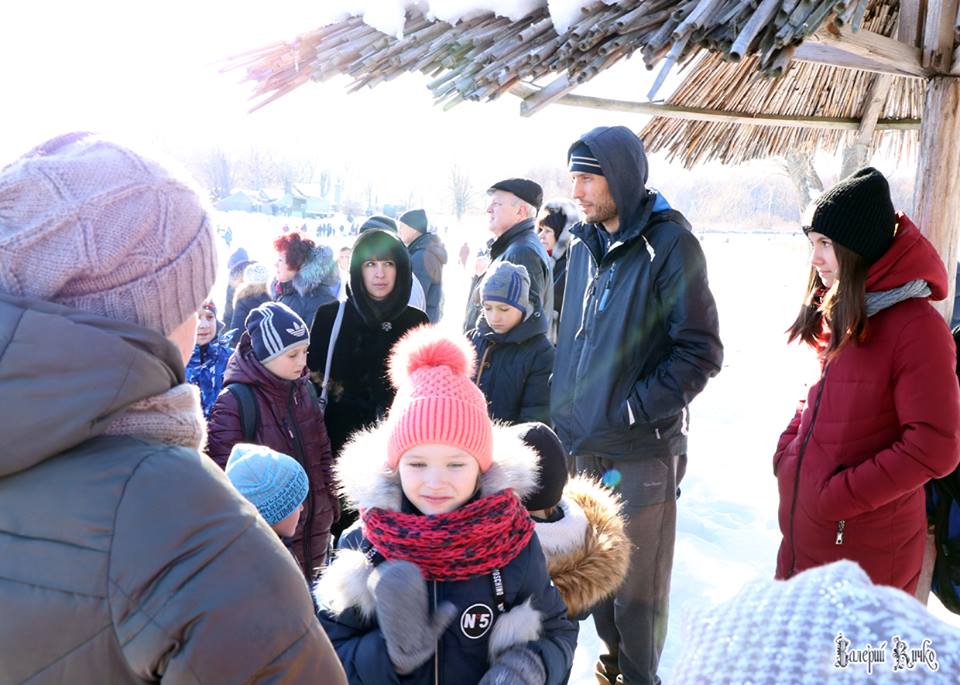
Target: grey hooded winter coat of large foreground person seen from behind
124, 560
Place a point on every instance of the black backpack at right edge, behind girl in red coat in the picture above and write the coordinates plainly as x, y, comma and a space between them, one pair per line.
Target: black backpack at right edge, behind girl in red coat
943, 511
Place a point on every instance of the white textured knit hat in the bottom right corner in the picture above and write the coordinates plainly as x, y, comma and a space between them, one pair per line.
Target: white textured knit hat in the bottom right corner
811, 629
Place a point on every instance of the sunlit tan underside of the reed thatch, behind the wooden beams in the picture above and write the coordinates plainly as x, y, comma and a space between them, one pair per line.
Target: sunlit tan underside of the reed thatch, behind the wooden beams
805, 90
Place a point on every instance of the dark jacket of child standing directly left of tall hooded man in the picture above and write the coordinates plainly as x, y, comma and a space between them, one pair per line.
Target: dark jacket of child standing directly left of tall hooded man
513, 370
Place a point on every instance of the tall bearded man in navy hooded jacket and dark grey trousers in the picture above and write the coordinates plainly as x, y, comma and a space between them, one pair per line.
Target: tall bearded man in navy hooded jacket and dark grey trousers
638, 340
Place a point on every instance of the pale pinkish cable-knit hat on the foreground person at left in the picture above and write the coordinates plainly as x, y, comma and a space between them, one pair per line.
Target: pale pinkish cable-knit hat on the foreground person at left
90, 224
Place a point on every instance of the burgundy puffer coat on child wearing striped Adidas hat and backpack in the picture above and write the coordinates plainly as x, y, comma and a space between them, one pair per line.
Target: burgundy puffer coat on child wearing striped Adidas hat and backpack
290, 422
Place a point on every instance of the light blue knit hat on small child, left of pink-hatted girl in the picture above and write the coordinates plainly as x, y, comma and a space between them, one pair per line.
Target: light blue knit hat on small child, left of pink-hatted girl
272, 482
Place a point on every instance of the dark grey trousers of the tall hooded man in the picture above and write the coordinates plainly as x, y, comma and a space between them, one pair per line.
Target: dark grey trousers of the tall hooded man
633, 623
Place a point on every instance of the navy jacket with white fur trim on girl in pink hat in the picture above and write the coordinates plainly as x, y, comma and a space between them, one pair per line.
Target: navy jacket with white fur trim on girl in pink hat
348, 611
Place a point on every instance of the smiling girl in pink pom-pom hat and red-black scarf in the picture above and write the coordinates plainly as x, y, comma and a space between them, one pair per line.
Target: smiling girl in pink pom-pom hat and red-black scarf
442, 580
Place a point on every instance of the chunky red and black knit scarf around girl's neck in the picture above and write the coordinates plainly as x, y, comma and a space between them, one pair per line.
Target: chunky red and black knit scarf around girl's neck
473, 540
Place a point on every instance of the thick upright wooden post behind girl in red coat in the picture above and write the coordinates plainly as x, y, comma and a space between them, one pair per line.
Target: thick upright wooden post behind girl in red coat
936, 199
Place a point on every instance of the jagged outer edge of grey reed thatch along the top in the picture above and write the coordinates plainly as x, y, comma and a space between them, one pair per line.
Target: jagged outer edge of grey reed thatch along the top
484, 56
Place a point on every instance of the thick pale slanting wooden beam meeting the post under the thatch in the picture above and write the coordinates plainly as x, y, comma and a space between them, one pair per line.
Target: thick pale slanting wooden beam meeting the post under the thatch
862, 50
